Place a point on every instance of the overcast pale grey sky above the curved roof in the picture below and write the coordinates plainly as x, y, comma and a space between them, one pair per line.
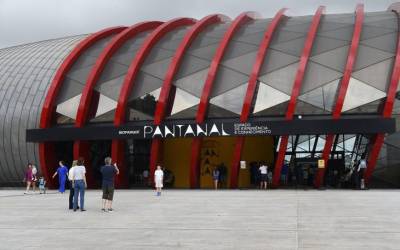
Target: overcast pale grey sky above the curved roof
24, 21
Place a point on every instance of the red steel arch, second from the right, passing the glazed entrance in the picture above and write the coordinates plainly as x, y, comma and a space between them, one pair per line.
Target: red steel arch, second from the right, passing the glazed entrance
344, 83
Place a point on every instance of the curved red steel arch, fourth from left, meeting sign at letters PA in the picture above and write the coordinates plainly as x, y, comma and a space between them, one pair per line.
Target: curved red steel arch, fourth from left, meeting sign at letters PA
165, 93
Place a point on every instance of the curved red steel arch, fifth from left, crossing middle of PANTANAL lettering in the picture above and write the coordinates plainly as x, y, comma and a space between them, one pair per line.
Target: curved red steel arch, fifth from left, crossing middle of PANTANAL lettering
205, 96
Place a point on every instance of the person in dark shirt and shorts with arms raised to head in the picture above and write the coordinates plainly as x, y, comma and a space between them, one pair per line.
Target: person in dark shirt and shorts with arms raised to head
108, 172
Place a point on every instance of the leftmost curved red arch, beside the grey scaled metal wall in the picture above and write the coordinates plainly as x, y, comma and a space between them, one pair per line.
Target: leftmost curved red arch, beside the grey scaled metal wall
47, 149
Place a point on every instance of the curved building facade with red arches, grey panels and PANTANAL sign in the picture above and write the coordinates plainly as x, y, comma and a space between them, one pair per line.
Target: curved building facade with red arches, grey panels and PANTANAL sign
270, 81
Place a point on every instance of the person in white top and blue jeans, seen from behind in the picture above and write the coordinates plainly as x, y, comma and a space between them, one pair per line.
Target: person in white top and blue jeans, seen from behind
80, 184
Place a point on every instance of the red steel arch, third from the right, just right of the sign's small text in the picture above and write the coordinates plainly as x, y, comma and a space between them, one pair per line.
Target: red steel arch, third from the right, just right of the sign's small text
305, 55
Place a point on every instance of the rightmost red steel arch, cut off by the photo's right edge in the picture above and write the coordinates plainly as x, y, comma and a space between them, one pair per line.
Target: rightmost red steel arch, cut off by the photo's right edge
387, 111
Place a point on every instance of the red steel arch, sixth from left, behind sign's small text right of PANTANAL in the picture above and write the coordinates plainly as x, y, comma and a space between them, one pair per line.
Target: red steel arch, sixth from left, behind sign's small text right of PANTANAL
251, 87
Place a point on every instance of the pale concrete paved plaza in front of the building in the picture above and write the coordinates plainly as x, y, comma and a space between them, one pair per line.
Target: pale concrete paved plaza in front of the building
205, 219
